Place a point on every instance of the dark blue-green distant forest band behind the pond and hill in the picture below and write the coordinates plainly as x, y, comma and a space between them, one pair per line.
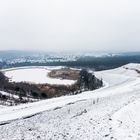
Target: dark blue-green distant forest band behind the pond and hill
96, 63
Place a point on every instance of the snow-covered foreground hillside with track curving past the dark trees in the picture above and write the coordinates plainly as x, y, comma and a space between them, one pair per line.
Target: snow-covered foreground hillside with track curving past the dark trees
111, 112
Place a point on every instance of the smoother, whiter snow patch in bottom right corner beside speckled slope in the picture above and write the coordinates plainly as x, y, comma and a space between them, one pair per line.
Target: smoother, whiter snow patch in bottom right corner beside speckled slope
126, 122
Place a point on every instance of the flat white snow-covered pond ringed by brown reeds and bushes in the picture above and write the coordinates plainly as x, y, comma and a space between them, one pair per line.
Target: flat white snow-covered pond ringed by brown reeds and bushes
37, 75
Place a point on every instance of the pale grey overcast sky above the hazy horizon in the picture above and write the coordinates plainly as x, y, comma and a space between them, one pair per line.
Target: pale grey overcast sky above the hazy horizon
98, 25
